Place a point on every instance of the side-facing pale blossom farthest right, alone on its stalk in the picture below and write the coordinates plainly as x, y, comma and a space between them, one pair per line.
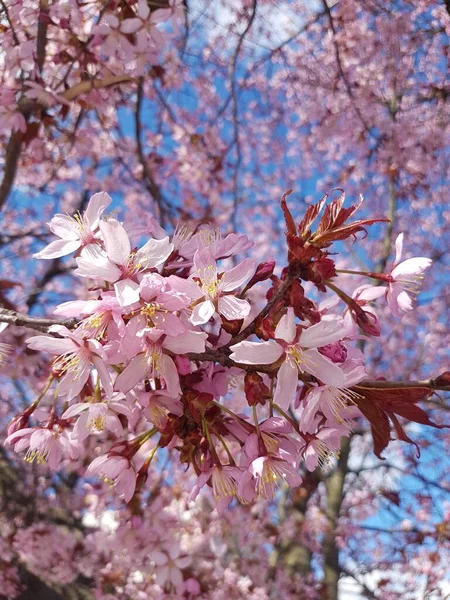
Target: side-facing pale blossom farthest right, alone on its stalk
405, 280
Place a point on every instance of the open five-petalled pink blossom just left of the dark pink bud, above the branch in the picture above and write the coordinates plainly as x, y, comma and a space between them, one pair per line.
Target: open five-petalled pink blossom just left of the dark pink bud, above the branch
208, 289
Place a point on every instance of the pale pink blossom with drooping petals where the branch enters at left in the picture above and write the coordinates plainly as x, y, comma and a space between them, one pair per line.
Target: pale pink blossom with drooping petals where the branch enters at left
75, 360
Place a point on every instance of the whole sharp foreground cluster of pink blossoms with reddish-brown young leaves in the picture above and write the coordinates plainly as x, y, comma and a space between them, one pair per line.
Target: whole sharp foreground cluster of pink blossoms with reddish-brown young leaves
170, 331
